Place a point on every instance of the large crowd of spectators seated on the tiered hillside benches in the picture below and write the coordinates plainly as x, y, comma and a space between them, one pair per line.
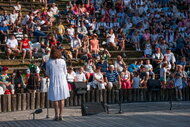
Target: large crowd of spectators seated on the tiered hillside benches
158, 28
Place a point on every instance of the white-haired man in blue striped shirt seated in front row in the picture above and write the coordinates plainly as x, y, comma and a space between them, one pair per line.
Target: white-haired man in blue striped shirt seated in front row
112, 78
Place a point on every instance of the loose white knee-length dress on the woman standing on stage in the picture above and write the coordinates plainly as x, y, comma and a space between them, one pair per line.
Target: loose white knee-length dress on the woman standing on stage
57, 71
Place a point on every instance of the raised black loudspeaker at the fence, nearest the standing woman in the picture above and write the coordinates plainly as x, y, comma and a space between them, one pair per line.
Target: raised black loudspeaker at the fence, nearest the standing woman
80, 87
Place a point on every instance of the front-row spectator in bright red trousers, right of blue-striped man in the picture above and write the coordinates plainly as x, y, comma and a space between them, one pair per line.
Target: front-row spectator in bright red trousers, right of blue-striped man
125, 78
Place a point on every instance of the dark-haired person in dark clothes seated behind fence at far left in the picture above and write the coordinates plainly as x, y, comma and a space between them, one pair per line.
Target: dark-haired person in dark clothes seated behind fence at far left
18, 82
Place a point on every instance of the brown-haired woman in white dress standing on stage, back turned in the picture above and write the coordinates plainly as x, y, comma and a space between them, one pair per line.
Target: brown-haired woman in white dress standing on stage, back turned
56, 70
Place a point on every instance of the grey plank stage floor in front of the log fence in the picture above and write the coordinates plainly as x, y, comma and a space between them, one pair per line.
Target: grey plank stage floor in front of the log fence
150, 114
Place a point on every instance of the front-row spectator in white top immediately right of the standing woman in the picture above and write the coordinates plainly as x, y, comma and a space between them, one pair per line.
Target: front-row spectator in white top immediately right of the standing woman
71, 77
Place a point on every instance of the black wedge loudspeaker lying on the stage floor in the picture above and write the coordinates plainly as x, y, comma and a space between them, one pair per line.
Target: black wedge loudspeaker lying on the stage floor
93, 108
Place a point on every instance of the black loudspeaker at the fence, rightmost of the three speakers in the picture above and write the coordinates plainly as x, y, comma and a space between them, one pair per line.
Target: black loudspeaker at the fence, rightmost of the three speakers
154, 85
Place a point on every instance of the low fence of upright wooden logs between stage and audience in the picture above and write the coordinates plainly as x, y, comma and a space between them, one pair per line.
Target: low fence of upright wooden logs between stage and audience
29, 101
